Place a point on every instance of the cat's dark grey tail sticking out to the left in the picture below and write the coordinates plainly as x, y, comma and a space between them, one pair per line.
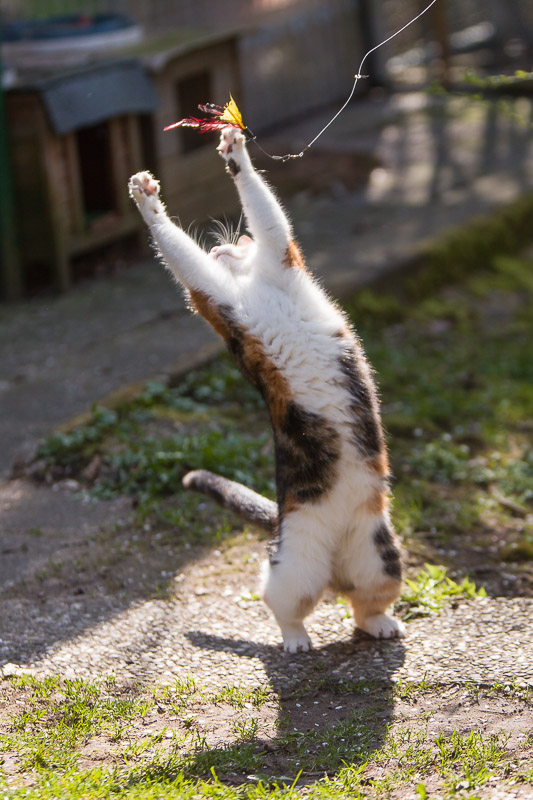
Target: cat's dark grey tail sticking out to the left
246, 503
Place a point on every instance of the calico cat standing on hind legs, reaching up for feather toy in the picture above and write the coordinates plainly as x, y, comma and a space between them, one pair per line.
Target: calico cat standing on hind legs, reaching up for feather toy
331, 523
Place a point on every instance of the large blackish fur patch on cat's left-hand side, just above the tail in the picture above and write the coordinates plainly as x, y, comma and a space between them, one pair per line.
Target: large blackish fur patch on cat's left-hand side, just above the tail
307, 450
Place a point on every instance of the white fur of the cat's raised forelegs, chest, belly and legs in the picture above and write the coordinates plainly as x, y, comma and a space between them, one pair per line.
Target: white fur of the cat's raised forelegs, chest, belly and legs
288, 312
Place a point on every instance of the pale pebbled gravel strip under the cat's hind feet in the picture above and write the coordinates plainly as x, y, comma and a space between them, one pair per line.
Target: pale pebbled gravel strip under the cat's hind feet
212, 628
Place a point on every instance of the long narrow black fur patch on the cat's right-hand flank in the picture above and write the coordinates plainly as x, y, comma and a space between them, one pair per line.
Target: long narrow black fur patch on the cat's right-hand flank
367, 433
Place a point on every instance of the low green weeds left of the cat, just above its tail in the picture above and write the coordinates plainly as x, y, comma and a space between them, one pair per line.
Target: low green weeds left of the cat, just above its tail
212, 420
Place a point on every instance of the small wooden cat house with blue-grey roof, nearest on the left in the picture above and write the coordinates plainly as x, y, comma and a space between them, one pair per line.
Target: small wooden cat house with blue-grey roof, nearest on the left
75, 137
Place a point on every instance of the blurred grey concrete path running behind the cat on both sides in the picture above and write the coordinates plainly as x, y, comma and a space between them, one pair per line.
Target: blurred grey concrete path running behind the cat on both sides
441, 165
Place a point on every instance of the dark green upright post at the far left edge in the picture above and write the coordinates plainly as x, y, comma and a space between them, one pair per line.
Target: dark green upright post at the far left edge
10, 275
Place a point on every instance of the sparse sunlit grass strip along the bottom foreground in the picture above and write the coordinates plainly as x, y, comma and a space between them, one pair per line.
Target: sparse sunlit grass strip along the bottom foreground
349, 758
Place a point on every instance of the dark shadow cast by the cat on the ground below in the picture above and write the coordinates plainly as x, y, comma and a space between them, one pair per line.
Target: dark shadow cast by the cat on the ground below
335, 704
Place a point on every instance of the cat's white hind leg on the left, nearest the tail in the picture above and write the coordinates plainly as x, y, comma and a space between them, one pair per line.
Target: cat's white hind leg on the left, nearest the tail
294, 580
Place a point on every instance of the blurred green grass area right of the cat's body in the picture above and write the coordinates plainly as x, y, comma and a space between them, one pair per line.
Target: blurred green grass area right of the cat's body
456, 380
